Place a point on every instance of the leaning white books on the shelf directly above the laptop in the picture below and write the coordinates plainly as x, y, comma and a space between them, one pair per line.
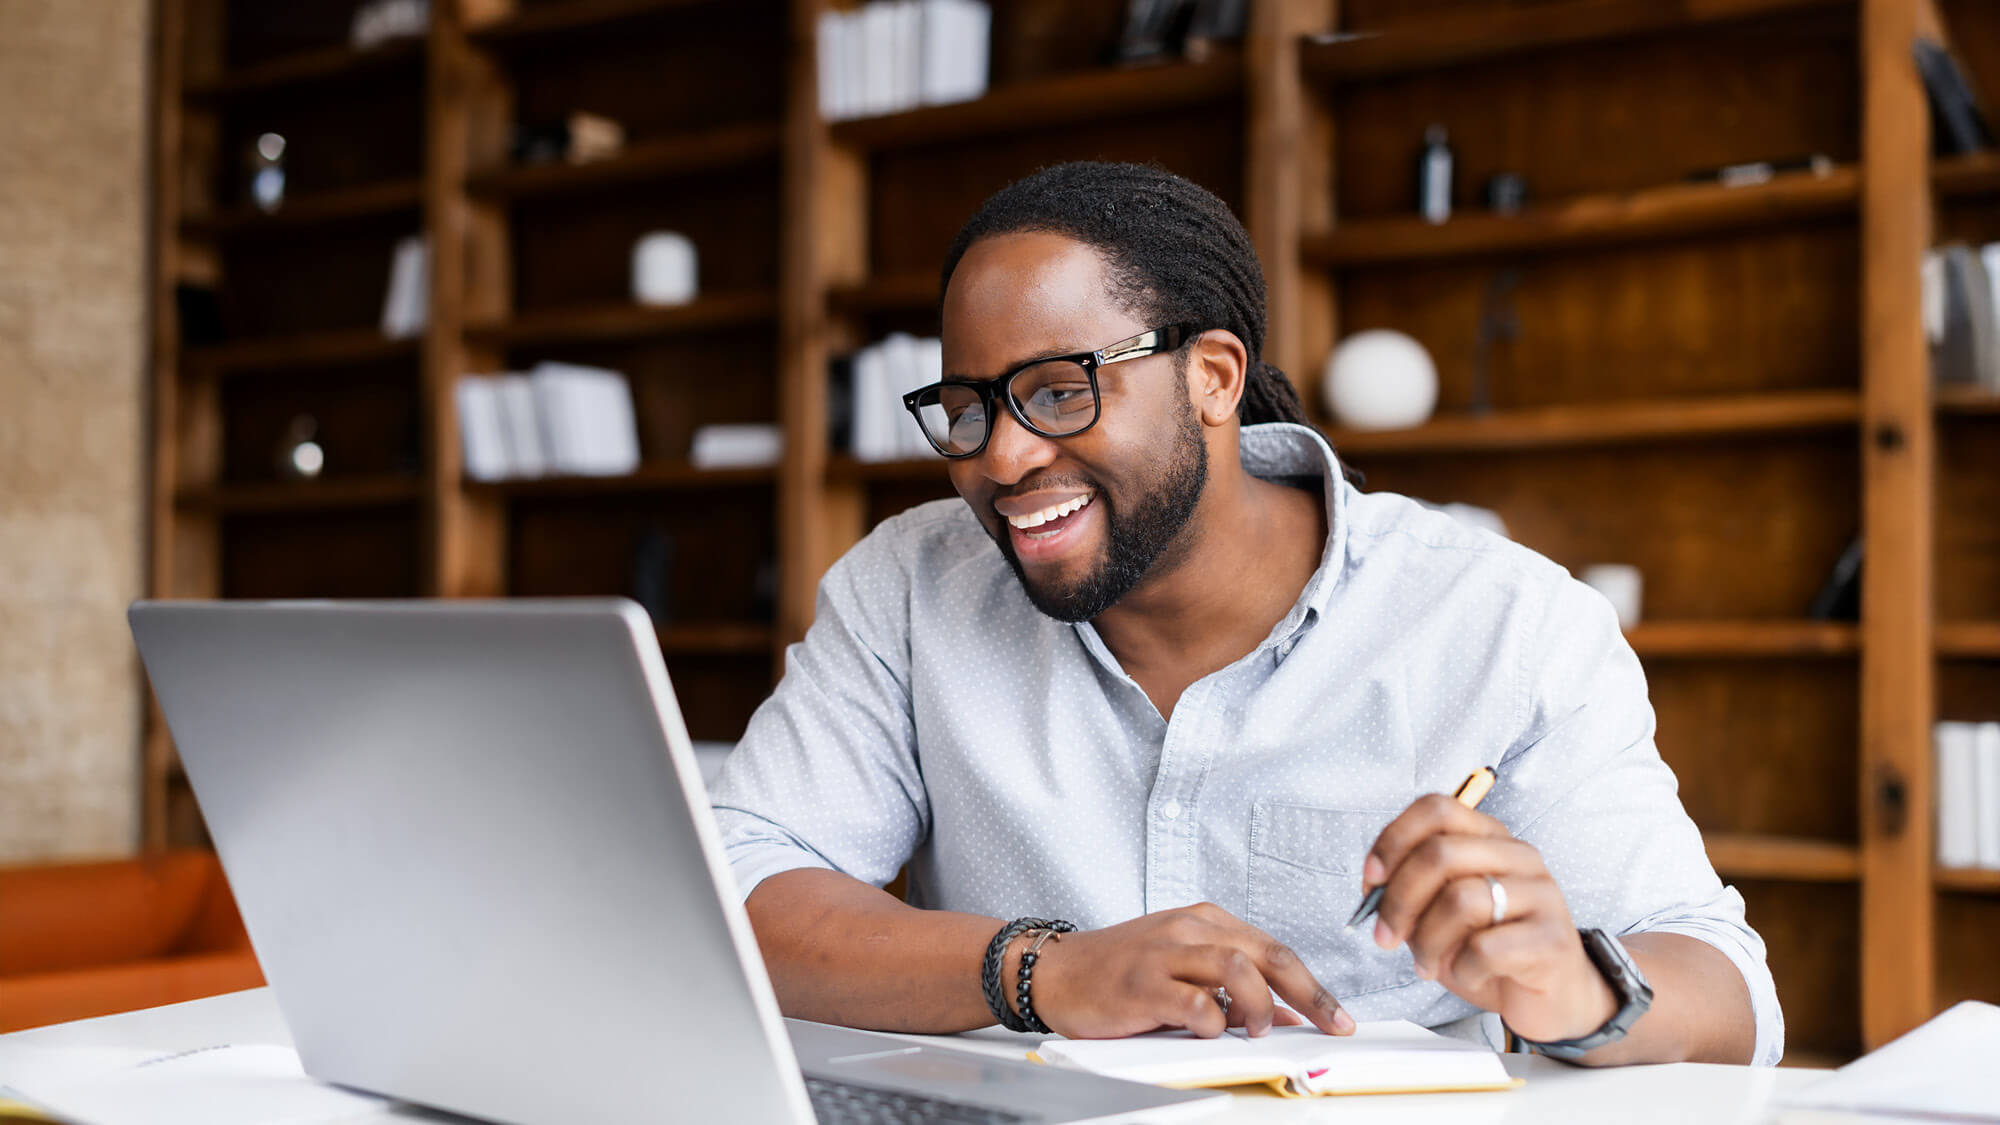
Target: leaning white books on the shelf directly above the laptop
553, 421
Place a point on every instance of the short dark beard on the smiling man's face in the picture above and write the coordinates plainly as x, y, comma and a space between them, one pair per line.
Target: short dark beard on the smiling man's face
1137, 539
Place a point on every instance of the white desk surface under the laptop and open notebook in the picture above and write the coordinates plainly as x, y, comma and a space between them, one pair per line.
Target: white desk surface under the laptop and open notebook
1555, 1094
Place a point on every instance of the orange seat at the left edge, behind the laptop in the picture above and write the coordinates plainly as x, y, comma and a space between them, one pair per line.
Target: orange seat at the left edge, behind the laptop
85, 940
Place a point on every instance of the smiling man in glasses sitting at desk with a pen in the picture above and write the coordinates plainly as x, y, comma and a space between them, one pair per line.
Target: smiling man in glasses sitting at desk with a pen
1201, 698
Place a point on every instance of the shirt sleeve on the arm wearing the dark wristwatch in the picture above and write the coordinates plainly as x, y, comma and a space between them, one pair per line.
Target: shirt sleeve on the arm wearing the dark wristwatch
1587, 788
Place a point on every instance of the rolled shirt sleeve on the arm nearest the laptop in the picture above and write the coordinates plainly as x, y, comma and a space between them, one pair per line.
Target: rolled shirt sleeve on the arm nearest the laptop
827, 772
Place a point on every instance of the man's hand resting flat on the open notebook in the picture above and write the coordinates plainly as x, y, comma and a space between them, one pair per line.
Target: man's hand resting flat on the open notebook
1165, 970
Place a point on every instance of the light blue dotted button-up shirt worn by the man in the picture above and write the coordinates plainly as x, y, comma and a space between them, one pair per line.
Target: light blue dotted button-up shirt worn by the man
933, 718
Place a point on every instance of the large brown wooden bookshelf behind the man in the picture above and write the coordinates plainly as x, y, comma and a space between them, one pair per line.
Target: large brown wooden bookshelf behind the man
1721, 385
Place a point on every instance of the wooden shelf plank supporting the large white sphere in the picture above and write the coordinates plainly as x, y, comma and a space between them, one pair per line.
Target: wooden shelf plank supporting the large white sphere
1611, 423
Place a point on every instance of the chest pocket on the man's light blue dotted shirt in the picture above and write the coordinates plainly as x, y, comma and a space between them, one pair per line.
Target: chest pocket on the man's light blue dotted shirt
1305, 886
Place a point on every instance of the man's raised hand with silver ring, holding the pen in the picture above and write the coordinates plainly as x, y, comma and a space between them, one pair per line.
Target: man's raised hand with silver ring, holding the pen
1529, 966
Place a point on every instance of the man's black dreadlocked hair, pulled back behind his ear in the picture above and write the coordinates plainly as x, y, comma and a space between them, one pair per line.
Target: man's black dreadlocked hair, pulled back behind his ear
1175, 251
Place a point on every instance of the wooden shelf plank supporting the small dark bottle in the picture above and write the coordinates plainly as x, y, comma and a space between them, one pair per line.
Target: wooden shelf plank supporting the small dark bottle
1587, 221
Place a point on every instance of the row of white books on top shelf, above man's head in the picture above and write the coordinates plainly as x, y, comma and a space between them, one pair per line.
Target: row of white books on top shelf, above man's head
897, 55
